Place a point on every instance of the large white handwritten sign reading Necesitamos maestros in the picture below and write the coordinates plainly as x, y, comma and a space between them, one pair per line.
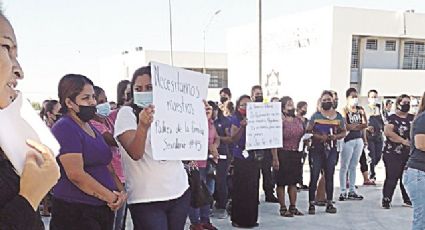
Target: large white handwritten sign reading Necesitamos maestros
180, 129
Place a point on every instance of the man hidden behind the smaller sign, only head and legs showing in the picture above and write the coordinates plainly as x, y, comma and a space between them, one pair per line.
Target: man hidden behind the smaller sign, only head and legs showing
266, 164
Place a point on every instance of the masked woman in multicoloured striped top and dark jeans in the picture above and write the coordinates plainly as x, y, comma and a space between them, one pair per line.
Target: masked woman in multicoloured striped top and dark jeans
327, 127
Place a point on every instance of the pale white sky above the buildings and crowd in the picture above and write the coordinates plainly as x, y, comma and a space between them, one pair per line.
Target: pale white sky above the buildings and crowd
56, 37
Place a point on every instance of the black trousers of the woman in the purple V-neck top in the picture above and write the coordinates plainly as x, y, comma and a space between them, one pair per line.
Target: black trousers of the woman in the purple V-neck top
76, 216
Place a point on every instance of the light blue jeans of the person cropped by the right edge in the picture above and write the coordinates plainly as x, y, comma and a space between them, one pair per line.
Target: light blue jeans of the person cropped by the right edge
414, 181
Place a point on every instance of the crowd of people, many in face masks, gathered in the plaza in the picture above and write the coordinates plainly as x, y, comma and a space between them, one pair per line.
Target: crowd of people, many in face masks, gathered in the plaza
106, 167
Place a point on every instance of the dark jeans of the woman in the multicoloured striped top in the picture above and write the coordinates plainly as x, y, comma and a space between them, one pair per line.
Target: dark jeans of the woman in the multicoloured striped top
322, 159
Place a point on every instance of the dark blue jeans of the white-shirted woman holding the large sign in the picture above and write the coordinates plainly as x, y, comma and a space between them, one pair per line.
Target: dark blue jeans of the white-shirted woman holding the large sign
161, 215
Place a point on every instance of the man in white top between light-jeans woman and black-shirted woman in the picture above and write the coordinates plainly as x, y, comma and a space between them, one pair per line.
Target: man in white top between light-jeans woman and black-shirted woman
374, 131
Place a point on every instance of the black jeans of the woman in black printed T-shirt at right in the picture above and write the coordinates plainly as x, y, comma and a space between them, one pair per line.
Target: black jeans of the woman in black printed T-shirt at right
394, 167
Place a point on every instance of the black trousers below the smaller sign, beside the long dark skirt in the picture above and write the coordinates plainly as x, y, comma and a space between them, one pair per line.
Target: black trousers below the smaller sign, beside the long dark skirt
266, 171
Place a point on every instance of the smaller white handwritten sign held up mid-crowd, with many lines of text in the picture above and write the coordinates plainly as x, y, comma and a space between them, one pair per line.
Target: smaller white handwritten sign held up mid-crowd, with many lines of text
264, 129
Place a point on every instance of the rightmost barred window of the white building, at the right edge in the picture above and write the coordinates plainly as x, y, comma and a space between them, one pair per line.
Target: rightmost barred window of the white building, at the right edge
414, 55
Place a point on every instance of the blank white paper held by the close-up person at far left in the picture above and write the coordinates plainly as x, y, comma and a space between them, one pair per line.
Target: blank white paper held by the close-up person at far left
19, 122
